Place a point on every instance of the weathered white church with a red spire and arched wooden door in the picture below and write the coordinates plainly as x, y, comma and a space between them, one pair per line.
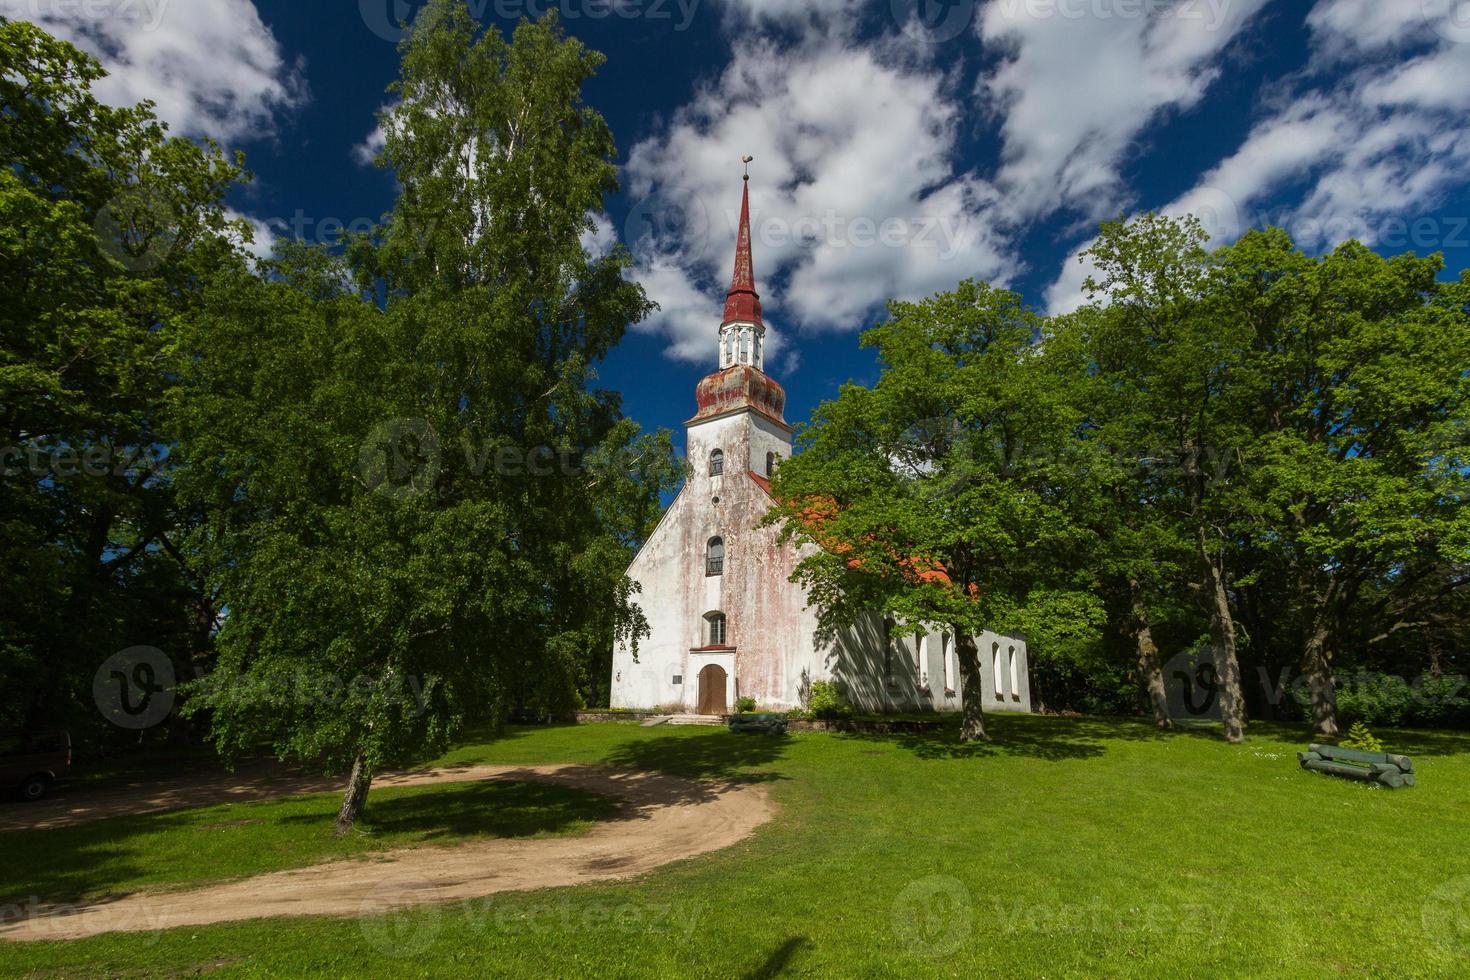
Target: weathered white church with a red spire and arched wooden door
725, 618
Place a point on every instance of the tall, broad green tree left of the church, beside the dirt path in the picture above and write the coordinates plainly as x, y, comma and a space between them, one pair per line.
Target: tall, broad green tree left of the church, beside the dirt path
420, 512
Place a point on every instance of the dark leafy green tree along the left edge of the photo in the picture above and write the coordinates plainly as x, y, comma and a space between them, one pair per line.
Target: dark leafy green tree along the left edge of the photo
105, 226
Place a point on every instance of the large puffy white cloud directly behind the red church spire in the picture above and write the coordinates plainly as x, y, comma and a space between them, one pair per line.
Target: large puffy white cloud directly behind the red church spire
855, 193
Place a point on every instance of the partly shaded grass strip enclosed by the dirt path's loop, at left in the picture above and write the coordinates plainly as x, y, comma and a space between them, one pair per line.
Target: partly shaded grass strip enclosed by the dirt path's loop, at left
209, 844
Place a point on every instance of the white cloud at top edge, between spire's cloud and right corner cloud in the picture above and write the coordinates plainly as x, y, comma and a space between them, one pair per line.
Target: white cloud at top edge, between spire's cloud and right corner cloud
1081, 80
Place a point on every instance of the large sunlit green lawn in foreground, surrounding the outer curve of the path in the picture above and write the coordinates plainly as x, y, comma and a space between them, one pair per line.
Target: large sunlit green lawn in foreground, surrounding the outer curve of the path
1068, 847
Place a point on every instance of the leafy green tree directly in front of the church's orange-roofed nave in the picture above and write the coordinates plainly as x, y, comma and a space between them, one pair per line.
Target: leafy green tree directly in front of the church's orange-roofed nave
939, 496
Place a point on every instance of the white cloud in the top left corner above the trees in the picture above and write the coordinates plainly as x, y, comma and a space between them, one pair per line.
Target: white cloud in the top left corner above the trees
212, 67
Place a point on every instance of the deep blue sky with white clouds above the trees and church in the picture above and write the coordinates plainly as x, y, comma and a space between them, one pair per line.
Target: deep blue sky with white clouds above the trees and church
900, 145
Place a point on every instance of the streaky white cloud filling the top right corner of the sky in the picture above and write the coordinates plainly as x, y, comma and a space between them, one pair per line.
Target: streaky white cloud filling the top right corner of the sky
1363, 145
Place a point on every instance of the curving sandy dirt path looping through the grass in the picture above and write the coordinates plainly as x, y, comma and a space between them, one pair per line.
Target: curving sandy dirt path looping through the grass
664, 819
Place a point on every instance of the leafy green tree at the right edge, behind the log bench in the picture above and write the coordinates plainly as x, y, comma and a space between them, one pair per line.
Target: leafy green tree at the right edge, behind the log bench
1358, 461
